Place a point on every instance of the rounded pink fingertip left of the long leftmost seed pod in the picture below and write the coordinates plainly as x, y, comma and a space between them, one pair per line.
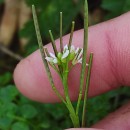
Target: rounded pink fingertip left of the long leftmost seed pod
31, 80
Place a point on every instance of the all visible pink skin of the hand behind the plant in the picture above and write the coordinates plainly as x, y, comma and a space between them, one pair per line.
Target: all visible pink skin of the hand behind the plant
110, 43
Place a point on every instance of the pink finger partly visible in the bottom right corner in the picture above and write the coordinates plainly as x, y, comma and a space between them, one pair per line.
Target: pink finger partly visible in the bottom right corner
118, 120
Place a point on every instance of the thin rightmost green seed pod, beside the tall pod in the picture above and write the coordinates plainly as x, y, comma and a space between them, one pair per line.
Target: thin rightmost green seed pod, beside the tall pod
86, 90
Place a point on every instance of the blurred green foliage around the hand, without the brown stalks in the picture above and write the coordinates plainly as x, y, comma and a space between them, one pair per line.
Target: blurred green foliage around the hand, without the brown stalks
18, 112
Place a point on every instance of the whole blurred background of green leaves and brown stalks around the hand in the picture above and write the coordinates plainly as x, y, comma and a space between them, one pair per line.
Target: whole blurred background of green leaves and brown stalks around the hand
18, 40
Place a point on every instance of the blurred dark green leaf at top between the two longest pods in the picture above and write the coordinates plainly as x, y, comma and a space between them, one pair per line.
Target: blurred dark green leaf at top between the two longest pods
49, 17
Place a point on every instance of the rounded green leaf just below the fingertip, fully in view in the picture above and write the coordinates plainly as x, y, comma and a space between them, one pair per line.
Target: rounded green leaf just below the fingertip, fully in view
28, 111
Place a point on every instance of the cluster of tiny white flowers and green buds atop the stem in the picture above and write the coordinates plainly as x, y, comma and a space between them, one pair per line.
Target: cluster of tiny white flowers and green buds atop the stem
69, 54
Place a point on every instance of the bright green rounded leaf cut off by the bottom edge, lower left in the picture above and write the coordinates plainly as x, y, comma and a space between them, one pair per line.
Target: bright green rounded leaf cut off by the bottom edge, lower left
20, 126
